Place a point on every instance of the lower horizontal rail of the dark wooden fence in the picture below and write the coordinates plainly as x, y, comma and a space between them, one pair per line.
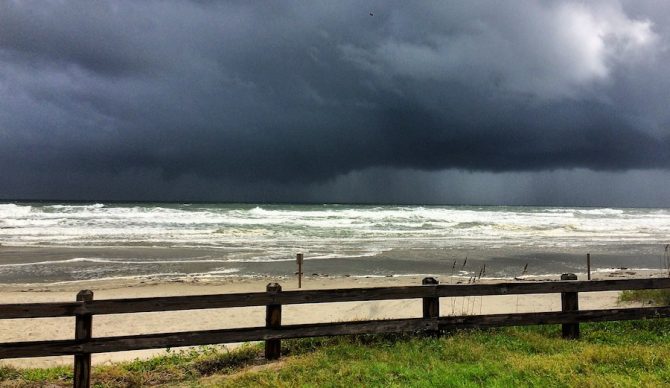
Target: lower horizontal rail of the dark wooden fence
153, 341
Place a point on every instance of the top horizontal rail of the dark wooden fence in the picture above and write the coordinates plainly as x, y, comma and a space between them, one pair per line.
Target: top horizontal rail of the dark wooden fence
193, 302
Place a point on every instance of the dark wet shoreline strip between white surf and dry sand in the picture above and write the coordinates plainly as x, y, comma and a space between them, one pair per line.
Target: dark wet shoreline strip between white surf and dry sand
49, 265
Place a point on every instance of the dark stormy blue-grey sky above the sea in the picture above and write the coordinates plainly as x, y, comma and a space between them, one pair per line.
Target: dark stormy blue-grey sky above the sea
518, 102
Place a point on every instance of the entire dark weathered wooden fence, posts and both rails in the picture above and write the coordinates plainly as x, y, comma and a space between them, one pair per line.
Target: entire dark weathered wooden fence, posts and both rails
85, 306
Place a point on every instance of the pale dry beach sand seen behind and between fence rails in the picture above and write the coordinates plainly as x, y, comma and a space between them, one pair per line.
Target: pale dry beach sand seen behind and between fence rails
209, 319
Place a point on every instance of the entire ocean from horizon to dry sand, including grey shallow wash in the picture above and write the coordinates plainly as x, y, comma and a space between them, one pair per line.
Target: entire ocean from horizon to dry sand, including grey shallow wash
61, 242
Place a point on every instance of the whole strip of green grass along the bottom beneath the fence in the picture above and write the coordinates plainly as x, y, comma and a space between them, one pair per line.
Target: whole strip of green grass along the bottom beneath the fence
620, 354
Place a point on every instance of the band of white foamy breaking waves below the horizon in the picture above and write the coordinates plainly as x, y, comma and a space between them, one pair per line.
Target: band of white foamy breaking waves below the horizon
326, 231
